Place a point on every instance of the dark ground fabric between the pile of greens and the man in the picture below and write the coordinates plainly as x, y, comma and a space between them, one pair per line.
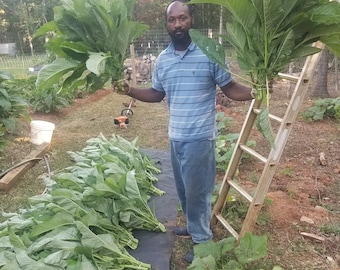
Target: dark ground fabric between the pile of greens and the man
155, 248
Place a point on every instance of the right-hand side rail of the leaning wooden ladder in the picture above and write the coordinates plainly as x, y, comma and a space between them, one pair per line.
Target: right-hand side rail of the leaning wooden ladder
280, 142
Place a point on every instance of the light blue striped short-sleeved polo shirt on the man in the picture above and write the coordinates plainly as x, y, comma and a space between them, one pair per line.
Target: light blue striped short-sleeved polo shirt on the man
189, 81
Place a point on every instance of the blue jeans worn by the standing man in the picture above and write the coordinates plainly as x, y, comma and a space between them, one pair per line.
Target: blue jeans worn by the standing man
194, 168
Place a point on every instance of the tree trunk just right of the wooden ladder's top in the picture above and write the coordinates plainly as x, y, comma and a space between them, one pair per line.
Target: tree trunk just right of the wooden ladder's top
320, 89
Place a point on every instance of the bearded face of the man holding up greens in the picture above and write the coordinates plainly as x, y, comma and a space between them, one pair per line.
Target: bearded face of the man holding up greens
178, 22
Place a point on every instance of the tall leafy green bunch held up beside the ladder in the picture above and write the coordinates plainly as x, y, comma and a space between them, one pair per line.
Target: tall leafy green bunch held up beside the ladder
269, 34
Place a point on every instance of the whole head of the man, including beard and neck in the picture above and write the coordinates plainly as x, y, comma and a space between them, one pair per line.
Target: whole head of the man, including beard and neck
179, 19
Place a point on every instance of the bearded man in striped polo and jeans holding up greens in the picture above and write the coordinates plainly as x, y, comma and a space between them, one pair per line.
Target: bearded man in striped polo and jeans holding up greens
188, 79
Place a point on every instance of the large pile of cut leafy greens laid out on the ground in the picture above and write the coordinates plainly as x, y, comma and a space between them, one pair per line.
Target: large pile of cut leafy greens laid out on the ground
86, 218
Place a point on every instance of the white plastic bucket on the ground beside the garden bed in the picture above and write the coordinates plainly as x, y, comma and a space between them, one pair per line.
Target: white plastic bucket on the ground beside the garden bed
41, 131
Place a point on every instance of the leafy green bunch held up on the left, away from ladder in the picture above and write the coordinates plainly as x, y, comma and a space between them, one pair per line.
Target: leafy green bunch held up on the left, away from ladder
90, 43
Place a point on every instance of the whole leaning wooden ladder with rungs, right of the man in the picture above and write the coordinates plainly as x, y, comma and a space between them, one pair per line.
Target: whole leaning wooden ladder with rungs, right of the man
270, 163
